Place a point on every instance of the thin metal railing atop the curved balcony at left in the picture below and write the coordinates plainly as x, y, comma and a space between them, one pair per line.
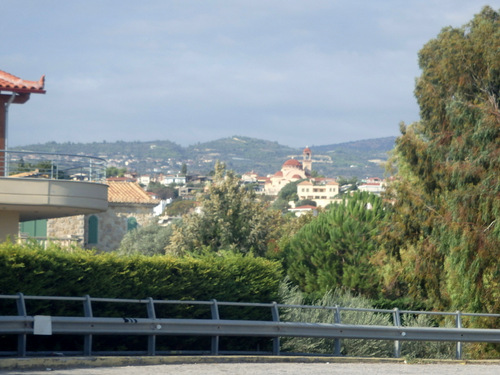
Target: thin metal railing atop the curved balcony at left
29, 164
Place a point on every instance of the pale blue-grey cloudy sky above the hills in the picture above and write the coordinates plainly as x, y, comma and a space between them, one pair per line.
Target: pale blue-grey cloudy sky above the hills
300, 73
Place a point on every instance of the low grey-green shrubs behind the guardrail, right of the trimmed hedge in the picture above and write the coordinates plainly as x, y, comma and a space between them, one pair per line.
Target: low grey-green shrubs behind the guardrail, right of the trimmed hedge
354, 347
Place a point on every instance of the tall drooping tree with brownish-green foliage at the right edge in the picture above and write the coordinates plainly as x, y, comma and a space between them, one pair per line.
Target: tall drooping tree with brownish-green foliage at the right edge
444, 243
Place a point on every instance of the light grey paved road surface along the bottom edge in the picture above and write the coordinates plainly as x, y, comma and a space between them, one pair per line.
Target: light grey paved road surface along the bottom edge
278, 369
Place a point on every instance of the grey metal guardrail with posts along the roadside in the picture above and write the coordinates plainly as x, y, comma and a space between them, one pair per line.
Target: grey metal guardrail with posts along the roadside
88, 325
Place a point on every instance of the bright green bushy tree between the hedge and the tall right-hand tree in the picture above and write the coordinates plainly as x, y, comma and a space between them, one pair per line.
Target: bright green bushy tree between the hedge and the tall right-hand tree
334, 249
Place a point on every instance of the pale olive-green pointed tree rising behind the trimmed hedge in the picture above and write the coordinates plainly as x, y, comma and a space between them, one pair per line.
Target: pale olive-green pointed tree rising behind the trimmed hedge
231, 219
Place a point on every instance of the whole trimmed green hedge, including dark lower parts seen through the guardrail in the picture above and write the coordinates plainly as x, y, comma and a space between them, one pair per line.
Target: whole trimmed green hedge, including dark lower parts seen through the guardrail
76, 272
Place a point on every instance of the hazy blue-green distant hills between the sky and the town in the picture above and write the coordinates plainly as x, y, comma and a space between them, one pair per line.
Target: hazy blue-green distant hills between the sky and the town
241, 154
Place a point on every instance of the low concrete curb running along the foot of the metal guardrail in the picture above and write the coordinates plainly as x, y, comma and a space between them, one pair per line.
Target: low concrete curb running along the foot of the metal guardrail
82, 362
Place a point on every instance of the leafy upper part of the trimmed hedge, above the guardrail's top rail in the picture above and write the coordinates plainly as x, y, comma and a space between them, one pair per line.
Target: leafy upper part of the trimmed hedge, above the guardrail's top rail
56, 272
